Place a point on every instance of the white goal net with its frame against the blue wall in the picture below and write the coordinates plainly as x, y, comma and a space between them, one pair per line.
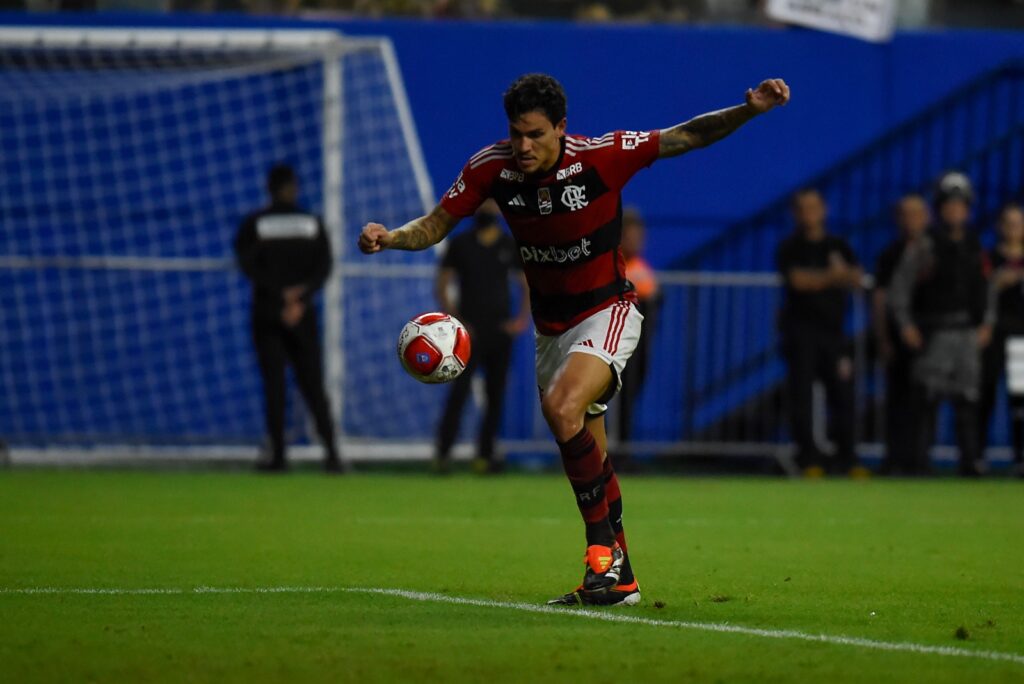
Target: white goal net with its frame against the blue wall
130, 159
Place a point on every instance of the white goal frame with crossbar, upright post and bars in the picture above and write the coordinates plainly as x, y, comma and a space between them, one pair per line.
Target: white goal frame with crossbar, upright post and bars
332, 47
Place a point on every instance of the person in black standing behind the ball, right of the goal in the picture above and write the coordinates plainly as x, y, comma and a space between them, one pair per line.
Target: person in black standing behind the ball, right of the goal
480, 267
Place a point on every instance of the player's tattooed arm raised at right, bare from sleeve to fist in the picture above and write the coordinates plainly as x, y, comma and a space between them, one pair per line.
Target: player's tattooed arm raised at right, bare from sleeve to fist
712, 127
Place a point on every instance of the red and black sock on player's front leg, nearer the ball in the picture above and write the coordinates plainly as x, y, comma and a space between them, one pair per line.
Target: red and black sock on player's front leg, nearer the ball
582, 460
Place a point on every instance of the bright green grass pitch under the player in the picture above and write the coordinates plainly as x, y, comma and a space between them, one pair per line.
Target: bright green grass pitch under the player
921, 565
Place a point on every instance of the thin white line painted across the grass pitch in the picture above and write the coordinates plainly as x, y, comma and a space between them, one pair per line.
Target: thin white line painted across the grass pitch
601, 616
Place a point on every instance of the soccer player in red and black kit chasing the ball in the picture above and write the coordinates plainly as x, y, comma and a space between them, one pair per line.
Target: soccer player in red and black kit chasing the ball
561, 195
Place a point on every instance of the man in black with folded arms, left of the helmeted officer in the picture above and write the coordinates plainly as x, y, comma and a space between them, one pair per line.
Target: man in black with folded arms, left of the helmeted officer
819, 271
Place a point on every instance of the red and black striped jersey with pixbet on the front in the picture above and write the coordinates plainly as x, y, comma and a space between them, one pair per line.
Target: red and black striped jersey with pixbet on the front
568, 224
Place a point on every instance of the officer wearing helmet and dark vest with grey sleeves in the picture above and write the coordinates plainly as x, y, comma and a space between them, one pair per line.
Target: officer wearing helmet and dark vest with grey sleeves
940, 298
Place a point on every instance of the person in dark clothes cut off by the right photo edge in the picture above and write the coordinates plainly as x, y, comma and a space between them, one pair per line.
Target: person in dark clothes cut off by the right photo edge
1000, 359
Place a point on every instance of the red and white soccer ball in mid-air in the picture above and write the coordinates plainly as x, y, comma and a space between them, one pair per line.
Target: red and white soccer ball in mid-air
435, 348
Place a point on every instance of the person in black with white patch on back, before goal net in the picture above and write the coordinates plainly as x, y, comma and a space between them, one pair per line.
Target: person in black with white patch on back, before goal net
285, 251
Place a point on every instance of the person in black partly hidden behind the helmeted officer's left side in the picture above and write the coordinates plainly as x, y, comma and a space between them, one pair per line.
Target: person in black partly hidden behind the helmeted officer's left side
913, 219
